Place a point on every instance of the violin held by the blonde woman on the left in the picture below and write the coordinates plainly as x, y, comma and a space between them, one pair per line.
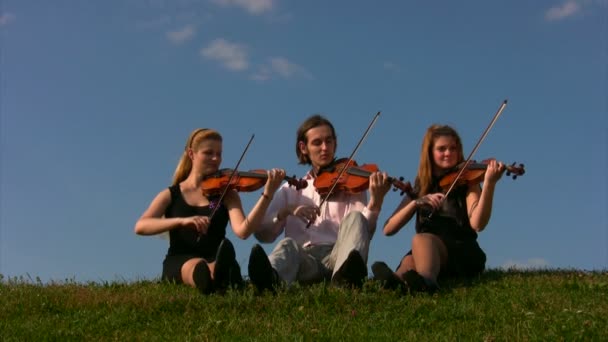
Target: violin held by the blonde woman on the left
242, 181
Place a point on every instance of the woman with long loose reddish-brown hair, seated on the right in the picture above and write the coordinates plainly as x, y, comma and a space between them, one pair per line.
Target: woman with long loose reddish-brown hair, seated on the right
445, 243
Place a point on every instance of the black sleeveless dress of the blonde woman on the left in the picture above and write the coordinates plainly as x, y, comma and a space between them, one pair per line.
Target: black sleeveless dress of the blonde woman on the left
182, 240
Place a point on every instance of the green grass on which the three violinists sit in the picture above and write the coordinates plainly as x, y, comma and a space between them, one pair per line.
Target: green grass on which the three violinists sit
551, 305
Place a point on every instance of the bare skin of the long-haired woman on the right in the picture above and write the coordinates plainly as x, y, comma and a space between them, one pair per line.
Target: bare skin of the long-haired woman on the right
429, 253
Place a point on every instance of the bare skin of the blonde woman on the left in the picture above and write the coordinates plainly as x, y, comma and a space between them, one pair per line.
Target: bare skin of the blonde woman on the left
206, 159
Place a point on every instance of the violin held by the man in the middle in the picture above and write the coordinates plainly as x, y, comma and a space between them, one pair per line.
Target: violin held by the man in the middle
353, 180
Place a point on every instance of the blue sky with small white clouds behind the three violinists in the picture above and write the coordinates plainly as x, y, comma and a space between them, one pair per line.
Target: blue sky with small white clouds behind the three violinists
97, 99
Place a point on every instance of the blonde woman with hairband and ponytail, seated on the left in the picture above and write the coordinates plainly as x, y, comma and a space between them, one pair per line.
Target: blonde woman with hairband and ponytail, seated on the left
199, 254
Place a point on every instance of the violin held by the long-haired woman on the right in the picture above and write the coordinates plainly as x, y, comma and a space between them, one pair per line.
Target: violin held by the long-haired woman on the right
475, 173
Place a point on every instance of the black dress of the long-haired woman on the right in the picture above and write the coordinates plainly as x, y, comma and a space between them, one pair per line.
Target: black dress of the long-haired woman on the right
451, 220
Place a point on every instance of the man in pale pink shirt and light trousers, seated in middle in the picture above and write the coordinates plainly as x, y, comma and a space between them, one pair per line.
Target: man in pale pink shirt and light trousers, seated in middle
321, 243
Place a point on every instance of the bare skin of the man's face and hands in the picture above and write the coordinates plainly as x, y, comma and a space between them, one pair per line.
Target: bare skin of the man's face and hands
320, 149
